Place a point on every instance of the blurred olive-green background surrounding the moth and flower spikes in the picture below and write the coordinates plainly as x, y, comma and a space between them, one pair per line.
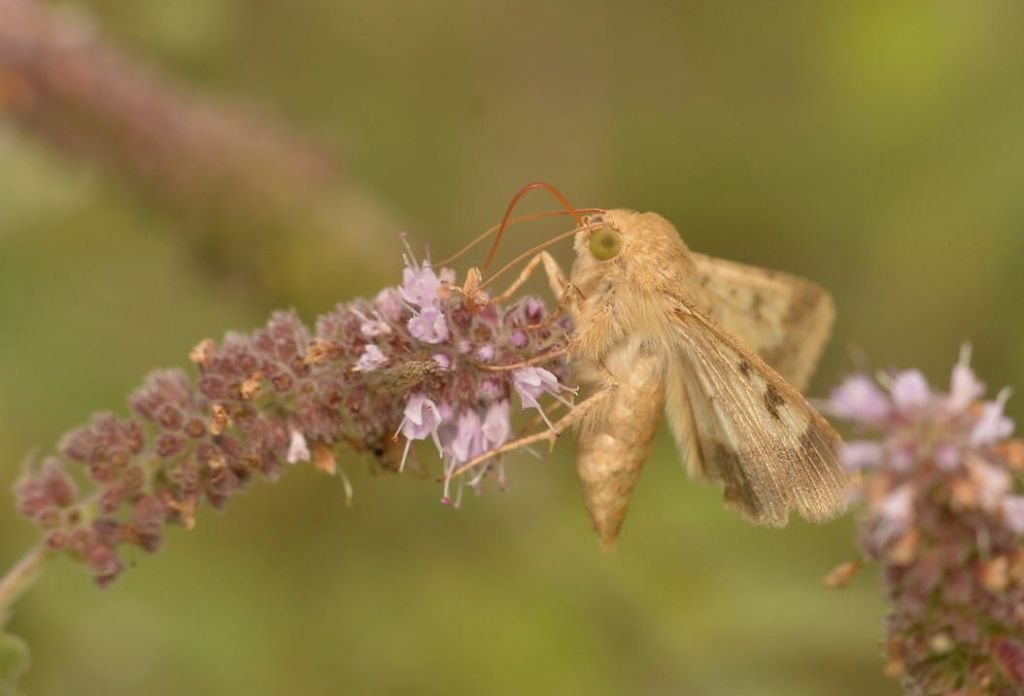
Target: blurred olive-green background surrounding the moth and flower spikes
876, 147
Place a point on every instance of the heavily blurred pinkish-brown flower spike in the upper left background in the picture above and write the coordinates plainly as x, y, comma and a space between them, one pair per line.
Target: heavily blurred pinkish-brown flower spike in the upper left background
259, 199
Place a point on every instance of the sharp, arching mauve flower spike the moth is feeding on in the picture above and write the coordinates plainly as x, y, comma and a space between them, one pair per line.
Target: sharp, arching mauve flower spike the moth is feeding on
416, 363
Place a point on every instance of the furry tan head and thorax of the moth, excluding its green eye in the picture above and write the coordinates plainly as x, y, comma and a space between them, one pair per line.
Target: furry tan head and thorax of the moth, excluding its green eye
629, 297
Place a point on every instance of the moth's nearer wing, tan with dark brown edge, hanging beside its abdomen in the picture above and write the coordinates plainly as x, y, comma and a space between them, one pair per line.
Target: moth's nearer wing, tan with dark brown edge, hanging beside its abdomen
746, 426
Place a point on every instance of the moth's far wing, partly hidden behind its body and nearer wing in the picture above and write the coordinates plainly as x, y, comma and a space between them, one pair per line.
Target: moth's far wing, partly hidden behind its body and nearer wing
784, 319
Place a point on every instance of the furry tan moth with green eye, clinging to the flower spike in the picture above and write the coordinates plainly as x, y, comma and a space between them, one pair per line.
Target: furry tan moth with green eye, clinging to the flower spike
721, 349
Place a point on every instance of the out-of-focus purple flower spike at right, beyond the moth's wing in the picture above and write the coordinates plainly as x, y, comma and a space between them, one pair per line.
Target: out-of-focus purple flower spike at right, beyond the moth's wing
941, 487
